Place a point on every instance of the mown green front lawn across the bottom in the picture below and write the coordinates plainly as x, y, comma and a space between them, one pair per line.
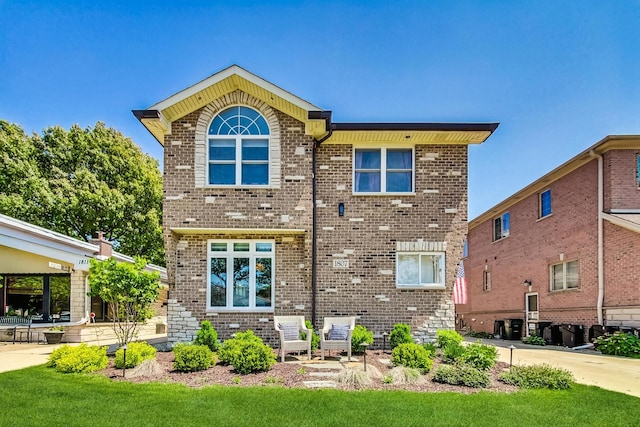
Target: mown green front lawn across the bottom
35, 396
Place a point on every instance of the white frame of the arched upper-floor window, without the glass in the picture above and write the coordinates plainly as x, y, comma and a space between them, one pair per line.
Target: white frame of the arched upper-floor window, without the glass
238, 162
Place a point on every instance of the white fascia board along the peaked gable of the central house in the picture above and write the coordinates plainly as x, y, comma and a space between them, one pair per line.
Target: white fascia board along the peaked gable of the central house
228, 72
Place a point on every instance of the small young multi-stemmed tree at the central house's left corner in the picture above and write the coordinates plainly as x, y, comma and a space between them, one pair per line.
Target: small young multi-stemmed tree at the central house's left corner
128, 290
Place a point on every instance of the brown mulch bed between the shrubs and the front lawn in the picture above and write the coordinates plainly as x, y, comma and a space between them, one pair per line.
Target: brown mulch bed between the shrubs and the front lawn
293, 375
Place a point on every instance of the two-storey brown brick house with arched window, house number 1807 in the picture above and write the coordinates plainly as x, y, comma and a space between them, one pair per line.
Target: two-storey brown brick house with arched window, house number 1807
244, 161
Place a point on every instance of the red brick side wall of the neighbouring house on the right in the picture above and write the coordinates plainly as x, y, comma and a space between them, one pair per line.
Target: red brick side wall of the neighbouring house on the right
534, 244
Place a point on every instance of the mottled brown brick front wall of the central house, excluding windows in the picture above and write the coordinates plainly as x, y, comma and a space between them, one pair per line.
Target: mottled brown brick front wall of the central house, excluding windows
367, 235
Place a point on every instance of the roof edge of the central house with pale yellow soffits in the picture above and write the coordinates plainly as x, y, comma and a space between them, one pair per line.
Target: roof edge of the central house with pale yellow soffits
158, 117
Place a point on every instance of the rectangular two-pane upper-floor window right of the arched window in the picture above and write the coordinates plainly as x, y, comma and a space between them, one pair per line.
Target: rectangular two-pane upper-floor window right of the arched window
383, 170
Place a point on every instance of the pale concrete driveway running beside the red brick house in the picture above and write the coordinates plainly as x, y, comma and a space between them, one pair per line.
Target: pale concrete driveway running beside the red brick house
589, 367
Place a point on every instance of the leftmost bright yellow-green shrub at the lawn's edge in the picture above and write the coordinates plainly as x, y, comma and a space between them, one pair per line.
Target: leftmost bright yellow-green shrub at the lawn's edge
83, 358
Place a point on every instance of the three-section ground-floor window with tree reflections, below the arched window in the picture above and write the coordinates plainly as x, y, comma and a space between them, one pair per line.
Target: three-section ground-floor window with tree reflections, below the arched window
241, 275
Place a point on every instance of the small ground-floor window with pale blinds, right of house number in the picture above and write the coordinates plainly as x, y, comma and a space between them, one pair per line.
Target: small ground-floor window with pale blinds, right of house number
420, 270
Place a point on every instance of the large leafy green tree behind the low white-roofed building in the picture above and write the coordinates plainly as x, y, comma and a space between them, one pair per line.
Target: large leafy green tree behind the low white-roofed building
81, 181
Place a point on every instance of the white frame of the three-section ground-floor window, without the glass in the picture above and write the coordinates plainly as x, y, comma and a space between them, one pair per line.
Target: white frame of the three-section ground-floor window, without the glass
230, 254
